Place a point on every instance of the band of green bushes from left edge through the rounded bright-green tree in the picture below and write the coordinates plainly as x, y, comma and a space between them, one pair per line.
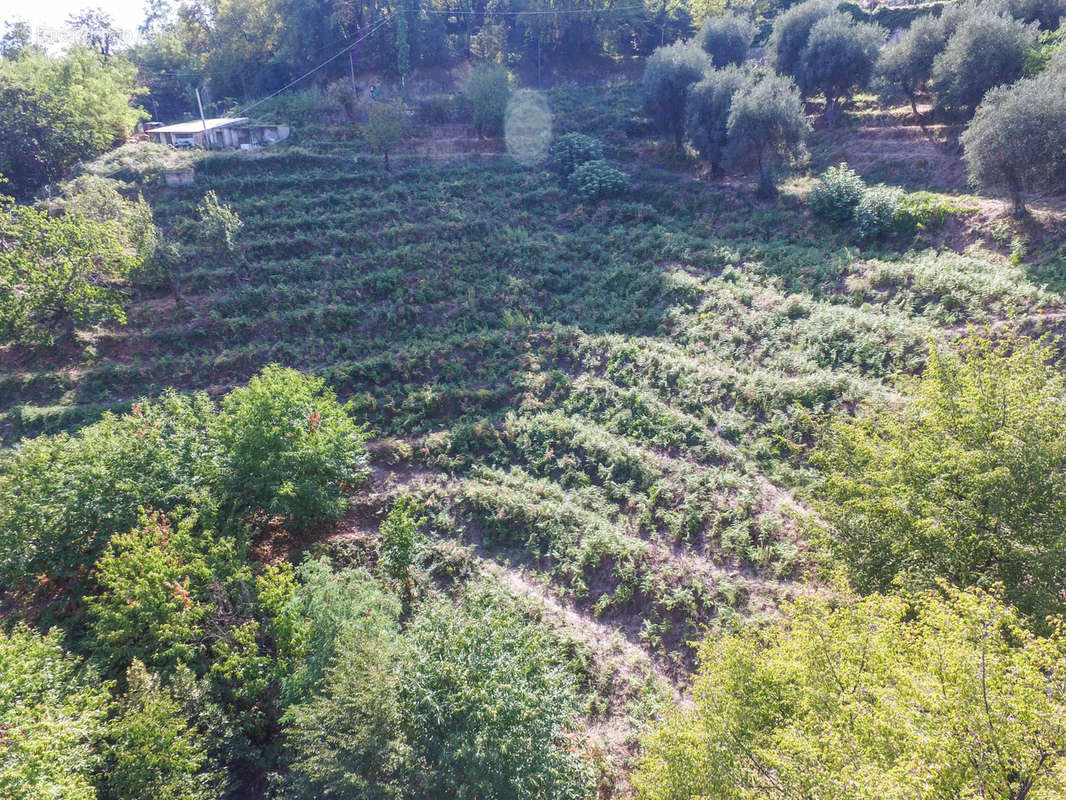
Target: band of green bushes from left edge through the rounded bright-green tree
282, 447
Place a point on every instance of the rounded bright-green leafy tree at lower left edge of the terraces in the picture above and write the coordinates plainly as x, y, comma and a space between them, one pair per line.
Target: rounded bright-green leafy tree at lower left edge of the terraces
289, 450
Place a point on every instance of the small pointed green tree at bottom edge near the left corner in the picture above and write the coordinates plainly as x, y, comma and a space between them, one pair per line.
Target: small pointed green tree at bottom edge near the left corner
155, 753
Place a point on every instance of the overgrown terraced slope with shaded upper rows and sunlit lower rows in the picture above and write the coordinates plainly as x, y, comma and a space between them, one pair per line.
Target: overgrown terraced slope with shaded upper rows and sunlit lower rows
604, 407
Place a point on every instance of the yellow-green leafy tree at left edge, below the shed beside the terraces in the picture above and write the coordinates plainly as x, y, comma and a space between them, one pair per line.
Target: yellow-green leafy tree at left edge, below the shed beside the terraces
59, 275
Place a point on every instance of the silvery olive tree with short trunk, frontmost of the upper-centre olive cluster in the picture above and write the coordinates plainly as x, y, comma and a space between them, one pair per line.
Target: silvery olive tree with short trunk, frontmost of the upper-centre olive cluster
767, 127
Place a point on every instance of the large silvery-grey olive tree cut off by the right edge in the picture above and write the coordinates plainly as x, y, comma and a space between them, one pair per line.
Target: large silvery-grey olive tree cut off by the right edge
1017, 138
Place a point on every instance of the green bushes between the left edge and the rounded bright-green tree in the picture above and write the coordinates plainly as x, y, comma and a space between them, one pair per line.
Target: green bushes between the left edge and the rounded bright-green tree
63, 498
